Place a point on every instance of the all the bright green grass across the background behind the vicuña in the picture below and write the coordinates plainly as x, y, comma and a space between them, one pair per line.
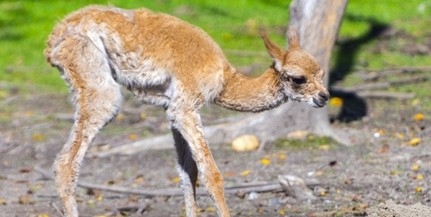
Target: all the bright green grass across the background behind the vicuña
25, 25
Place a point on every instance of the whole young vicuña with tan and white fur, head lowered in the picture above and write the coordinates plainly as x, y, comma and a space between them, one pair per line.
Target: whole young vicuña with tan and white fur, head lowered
166, 62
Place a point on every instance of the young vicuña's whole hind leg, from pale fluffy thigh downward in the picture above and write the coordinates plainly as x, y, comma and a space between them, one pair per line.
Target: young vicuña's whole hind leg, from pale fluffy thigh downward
97, 100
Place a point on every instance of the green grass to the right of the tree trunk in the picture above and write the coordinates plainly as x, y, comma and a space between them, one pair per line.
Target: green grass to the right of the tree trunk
409, 16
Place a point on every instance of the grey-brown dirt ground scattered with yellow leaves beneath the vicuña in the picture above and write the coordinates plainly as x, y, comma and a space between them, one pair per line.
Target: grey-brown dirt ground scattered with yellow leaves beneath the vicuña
383, 176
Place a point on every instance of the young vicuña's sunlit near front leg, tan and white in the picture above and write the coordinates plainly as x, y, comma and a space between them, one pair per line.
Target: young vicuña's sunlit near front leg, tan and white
187, 122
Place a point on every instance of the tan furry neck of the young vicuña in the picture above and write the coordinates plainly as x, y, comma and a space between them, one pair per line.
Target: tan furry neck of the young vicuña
252, 94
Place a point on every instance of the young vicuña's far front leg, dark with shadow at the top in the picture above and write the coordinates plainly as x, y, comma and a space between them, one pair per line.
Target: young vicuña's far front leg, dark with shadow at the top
187, 171
